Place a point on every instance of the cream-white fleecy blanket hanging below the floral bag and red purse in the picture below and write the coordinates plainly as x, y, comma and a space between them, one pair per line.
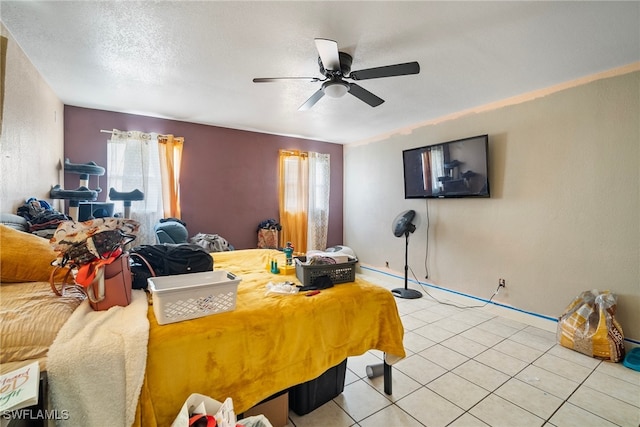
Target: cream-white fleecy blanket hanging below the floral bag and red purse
96, 364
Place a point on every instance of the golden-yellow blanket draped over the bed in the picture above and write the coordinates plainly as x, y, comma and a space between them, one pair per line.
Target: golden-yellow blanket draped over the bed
267, 344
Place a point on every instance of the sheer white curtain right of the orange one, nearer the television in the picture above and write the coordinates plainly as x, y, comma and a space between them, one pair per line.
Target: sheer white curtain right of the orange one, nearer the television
318, 213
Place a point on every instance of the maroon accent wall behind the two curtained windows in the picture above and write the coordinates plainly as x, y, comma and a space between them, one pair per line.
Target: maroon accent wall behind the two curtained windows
229, 181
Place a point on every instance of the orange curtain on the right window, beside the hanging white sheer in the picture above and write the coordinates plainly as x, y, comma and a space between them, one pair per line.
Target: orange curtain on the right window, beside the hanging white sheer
293, 198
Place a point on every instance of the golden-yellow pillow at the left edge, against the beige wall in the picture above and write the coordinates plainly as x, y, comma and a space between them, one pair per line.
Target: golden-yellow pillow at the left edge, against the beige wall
25, 257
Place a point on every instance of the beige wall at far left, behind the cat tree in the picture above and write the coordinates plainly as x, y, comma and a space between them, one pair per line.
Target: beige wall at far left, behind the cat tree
31, 138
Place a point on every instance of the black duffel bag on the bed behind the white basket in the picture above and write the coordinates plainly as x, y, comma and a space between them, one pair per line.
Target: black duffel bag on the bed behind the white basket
165, 260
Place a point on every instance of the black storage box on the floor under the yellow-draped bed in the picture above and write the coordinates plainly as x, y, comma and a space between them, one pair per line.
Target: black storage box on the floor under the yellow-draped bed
308, 396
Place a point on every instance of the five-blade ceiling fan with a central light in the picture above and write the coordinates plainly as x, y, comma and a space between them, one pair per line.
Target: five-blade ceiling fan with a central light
335, 66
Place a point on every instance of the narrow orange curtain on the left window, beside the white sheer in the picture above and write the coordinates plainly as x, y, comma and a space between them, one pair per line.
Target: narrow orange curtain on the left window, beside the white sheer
170, 150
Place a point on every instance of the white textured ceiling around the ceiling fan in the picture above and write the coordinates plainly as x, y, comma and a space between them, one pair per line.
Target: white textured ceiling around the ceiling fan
195, 61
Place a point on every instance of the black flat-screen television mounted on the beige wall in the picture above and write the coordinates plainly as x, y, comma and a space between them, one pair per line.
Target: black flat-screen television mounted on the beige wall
451, 169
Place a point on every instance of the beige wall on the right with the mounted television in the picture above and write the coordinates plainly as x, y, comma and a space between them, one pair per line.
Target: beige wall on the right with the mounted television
564, 215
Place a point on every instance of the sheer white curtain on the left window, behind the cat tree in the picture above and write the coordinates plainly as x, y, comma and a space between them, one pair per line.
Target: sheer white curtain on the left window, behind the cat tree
133, 163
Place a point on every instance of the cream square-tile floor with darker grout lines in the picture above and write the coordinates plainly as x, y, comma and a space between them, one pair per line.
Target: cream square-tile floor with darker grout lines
472, 367
